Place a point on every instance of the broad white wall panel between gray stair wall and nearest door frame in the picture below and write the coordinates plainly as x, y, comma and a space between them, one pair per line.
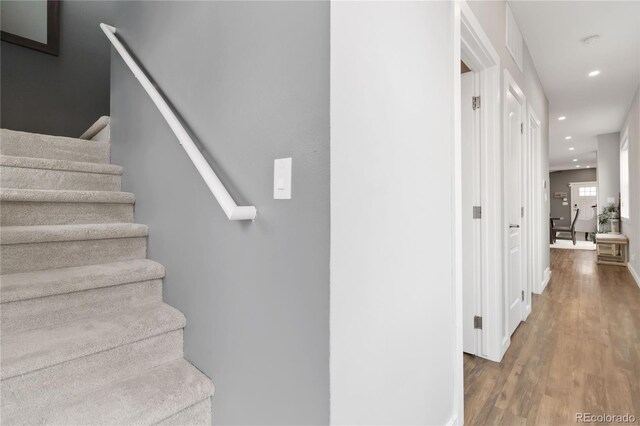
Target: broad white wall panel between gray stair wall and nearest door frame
392, 325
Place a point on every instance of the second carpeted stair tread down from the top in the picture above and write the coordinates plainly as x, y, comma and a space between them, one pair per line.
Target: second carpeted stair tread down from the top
65, 196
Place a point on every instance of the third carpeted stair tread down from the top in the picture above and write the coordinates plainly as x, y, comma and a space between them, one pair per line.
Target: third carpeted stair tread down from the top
75, 232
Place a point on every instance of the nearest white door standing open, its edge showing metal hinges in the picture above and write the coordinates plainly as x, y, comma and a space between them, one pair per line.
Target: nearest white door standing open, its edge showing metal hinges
470, 226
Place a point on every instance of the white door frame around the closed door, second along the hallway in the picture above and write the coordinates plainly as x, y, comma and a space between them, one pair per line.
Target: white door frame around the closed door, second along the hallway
510, 85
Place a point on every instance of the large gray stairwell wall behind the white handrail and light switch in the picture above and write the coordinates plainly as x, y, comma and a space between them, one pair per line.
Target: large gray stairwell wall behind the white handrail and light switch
251, 80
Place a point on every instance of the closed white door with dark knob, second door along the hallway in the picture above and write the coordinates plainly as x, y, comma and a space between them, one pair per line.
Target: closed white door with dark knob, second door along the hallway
513, 168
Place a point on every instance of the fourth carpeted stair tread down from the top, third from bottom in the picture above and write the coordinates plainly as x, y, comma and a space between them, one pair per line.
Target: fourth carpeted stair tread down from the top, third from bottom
31, 285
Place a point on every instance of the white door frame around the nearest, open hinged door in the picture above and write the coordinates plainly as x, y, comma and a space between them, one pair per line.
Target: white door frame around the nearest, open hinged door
472, 44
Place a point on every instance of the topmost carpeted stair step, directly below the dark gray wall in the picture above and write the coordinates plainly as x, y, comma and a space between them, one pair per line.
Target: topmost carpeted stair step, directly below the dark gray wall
23, 144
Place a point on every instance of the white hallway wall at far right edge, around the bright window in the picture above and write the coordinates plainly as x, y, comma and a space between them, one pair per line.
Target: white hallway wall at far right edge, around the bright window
631, 227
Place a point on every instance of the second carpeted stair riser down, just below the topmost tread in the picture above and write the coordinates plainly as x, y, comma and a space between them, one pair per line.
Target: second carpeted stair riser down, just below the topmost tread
25, 178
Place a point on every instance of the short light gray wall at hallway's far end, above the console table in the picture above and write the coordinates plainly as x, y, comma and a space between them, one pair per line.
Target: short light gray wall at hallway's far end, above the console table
608, 169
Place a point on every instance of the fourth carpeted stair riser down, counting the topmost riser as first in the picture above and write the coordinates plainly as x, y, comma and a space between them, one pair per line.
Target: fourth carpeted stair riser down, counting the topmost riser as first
16, 258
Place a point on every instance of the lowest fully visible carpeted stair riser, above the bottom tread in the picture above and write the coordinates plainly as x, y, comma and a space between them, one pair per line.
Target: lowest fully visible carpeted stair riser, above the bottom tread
48, 386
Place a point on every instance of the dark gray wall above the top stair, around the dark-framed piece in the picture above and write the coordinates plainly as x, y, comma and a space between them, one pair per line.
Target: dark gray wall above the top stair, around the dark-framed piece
59, 95
